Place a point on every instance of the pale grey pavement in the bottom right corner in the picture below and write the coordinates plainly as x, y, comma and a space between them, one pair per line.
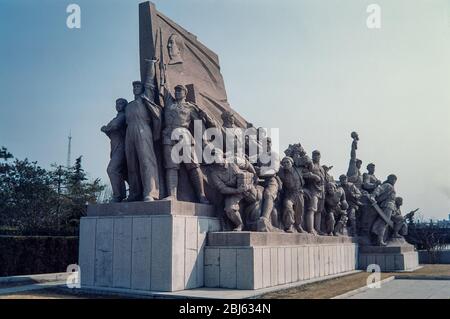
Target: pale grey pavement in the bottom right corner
408, 289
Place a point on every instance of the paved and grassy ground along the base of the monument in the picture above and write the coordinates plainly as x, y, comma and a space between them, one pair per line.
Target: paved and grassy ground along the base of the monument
431, 281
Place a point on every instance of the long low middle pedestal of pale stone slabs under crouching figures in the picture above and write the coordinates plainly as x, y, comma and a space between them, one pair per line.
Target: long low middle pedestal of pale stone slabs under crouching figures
251, 260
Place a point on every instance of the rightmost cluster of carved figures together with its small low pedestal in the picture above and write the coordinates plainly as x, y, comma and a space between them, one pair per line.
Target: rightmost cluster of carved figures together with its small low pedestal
379, 218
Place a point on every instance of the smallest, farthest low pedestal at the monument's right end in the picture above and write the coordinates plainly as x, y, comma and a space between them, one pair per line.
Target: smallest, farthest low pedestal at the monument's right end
389, 258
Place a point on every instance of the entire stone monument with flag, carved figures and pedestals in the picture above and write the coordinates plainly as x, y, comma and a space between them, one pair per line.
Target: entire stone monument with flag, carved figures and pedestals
244, 223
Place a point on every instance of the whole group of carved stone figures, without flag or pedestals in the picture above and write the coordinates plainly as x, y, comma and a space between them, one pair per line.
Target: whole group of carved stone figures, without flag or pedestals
296, 194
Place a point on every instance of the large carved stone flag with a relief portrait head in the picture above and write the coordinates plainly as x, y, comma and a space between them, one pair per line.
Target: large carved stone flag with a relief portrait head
186, 61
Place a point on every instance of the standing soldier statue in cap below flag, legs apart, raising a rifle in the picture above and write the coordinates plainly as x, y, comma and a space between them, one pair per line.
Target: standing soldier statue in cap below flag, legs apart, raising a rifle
178, 117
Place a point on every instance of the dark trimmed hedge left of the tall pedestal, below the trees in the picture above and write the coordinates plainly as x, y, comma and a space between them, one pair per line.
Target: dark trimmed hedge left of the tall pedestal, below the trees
26, 255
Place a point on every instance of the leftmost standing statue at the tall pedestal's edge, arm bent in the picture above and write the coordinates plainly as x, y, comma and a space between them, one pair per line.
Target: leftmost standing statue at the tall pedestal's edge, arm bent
117, 167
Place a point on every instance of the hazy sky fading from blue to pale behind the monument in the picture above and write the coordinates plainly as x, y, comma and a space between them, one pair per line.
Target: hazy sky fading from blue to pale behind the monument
311, 68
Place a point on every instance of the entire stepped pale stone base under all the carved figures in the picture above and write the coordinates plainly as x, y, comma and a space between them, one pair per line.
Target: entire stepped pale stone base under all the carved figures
171, 246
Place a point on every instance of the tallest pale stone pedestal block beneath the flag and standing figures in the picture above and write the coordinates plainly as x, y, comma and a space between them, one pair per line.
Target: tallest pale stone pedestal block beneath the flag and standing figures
156, 246
